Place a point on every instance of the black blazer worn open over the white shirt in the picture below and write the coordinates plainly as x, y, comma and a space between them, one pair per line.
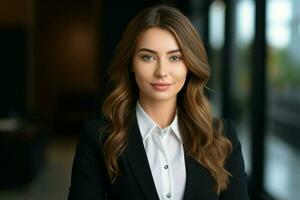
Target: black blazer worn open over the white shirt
90, 178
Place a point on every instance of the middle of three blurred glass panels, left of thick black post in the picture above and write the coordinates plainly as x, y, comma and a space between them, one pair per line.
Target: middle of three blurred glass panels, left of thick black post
241, 75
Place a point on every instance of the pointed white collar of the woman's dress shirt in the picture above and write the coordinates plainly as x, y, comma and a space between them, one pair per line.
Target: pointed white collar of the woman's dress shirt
147, 125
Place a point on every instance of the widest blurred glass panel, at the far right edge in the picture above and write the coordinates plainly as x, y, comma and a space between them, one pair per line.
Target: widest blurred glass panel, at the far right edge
282, 179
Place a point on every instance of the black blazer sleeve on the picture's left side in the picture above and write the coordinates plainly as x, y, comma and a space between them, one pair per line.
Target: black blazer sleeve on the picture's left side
88, 173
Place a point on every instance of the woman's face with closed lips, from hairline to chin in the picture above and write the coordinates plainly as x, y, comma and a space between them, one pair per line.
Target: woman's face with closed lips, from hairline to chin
160, 71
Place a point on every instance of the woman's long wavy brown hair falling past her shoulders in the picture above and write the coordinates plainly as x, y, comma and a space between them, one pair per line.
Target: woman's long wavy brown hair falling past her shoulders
202, 135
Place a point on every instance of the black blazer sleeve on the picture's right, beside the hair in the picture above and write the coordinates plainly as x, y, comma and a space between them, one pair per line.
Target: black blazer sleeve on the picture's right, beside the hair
237, 189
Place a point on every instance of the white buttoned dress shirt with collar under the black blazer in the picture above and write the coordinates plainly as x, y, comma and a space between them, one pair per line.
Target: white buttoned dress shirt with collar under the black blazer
165, 155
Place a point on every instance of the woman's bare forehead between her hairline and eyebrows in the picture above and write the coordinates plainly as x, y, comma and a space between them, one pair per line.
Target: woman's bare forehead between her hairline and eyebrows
157, 39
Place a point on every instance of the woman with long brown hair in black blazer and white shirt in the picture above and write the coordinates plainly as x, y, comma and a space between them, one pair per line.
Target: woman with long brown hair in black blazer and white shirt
156, 138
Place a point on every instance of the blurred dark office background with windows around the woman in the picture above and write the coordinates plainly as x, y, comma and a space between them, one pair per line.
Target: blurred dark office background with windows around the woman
53, 59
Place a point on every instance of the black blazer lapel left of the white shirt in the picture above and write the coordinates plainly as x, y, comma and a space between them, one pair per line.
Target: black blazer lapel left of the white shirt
137, 159
